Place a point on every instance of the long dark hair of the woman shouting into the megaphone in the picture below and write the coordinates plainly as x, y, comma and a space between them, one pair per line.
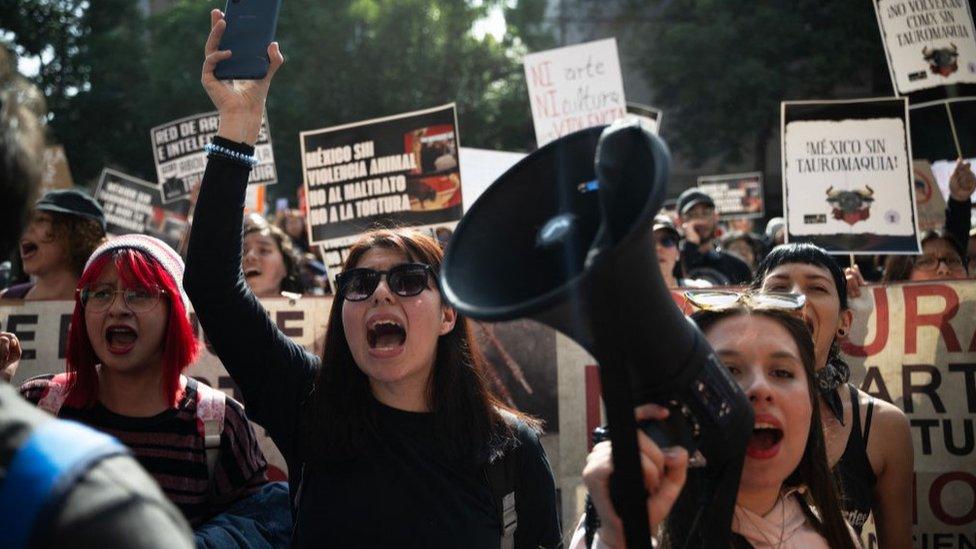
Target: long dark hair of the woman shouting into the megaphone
812, 472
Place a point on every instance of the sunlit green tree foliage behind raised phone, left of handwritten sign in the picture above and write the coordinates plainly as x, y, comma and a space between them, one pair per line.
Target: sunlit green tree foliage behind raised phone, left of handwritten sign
111, 73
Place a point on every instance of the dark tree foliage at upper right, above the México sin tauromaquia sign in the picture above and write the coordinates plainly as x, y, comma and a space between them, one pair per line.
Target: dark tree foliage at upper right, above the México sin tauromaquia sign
720, 68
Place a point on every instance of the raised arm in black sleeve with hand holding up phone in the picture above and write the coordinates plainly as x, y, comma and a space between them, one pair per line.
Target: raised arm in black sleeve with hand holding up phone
273, 372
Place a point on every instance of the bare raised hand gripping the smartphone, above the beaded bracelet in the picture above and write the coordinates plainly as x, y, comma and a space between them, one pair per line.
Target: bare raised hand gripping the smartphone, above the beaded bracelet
240, 102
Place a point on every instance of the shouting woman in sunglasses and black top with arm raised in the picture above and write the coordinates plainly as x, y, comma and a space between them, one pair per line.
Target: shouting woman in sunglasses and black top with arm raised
391, 436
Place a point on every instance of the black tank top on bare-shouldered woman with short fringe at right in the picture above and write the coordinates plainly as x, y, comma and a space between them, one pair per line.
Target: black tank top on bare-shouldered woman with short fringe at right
854, 470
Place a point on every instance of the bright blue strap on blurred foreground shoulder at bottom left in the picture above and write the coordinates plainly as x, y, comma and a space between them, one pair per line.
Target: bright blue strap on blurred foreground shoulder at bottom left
43, 471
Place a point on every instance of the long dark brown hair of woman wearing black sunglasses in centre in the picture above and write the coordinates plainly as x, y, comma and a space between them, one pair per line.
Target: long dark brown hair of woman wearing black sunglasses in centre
469, 419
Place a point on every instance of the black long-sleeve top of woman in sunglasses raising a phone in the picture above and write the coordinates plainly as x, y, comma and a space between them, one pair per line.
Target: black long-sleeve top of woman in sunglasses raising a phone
402, 490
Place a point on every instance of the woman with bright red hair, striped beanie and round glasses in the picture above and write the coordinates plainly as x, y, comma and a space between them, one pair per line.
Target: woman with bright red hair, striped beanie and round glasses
129, 342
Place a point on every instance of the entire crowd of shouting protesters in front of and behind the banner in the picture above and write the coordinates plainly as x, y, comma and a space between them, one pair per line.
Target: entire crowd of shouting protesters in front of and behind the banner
392, 435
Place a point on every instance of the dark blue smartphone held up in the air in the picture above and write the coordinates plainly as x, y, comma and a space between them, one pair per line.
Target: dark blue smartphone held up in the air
250, 28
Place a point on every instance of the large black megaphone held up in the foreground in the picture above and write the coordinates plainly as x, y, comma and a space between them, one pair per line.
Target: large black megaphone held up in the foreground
565, 237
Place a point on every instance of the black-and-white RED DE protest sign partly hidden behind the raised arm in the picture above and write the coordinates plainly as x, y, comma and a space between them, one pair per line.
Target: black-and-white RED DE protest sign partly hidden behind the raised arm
178, 151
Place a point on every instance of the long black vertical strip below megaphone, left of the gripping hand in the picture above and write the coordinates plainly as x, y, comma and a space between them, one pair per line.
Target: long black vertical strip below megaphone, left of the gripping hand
627, 482
